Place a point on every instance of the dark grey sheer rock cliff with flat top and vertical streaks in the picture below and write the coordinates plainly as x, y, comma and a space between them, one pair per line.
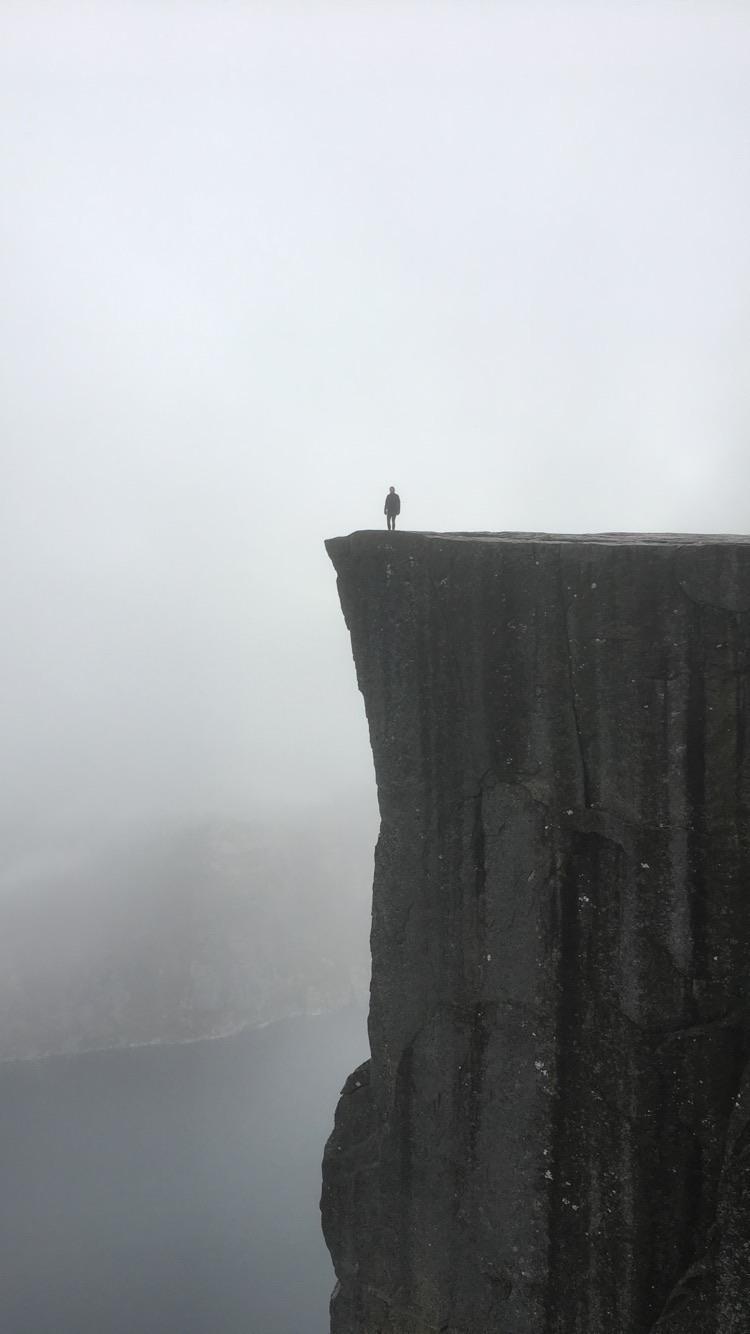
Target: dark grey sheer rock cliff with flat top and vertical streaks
553, 1135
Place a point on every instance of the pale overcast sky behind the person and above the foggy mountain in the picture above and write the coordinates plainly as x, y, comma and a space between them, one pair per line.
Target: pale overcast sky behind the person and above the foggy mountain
262, 261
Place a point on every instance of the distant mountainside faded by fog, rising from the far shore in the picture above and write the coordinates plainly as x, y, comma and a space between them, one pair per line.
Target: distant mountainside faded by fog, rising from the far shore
181, 932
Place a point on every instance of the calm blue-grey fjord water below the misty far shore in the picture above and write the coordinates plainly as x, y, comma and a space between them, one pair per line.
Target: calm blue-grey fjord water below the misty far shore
173, 1189
